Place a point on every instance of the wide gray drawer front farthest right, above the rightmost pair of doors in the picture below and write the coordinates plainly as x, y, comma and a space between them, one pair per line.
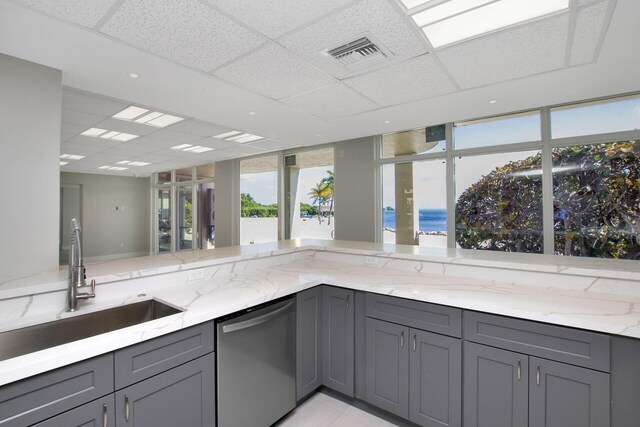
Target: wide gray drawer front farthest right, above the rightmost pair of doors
573, 346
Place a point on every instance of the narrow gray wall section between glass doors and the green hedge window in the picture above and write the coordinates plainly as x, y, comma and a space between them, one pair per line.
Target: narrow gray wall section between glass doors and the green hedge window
227, 203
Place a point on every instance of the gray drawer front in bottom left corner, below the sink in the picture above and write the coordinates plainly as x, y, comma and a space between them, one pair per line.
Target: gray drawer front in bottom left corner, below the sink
34, 399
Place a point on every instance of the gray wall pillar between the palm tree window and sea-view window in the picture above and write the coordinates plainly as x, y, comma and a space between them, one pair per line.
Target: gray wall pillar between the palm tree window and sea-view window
355, 190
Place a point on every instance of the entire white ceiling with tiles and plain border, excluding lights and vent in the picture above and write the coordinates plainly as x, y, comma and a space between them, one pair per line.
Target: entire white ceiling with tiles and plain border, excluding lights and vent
262, 67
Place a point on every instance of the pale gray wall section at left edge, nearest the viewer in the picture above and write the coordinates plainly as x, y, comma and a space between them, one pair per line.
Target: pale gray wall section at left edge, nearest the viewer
30, 109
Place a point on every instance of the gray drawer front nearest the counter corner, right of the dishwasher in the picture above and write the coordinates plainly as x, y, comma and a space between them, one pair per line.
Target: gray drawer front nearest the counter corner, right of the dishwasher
416, 314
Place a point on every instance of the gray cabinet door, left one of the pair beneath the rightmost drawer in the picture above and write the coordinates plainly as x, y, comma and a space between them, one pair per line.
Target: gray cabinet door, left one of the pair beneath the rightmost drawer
495, 387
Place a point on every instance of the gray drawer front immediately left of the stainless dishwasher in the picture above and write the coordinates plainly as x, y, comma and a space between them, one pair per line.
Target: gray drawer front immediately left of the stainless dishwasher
141, 361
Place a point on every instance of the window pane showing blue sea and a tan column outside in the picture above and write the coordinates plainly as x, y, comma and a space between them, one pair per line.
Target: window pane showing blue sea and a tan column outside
415, 203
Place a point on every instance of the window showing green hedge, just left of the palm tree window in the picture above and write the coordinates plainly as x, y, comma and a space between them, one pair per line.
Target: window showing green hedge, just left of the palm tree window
259, 200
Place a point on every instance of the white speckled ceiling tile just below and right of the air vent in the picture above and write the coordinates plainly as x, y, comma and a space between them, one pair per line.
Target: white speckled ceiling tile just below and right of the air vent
415, 79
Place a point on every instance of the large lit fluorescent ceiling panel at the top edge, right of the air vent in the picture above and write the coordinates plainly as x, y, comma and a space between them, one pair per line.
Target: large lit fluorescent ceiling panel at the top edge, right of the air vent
456, 20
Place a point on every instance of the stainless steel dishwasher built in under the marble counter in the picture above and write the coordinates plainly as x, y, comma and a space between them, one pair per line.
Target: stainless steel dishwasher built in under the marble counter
256, 365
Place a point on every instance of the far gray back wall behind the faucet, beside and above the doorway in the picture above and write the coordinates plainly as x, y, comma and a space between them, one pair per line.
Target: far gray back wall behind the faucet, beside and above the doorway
108, 233
